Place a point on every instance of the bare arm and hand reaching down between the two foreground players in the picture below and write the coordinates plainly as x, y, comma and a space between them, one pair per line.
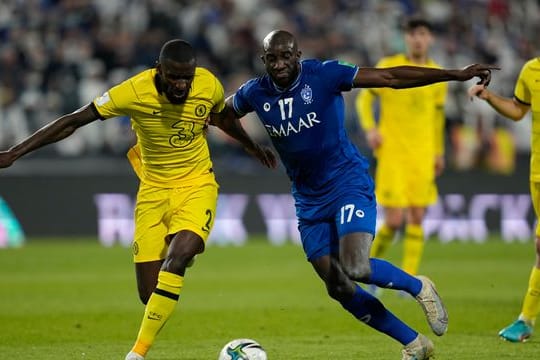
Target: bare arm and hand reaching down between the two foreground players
228, 121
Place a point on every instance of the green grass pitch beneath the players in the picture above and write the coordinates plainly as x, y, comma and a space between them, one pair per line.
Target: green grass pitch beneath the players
73, 299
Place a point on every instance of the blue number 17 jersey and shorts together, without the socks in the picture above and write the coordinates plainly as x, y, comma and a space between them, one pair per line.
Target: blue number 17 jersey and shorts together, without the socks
332, 188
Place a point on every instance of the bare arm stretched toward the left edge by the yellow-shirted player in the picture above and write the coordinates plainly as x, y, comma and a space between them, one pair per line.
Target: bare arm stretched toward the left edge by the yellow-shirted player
55, 131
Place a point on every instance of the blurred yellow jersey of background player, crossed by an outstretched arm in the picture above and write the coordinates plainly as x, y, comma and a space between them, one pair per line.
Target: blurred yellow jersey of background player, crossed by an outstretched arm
411, 121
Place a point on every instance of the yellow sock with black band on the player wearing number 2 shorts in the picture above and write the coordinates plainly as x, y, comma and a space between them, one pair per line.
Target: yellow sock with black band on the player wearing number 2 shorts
158, 310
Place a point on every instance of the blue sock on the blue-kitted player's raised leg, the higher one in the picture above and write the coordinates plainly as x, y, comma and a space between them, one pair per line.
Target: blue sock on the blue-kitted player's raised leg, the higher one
386, 275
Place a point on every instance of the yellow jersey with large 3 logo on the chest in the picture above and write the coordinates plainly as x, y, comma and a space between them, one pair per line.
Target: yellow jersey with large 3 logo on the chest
171, 149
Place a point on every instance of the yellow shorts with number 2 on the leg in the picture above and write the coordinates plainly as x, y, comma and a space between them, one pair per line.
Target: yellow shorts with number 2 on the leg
163, 211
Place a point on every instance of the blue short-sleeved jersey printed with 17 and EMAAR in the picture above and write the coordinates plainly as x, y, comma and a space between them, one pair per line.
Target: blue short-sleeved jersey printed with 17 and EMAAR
306, 124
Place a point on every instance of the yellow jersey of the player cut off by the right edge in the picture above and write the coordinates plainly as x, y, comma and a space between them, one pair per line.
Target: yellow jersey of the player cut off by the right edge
527, 91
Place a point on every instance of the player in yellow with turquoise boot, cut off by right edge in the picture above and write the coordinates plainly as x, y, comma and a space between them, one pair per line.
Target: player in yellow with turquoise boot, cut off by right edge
526, 97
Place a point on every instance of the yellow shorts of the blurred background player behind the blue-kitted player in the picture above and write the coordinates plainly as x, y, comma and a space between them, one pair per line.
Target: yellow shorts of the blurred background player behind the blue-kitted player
404, 185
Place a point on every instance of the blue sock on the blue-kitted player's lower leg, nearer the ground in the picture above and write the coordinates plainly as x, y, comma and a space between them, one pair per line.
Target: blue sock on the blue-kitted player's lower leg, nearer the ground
371, 311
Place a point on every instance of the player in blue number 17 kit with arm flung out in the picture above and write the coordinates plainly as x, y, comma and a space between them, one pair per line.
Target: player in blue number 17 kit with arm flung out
301, 106
